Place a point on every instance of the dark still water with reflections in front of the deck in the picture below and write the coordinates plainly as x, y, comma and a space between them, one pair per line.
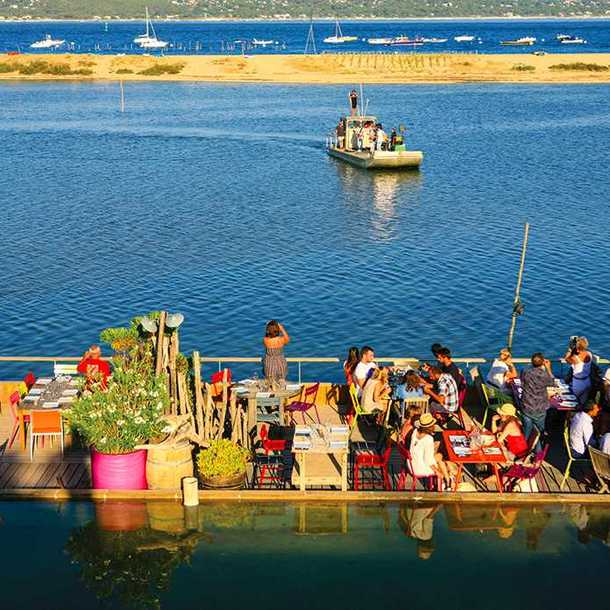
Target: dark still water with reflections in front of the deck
307, 556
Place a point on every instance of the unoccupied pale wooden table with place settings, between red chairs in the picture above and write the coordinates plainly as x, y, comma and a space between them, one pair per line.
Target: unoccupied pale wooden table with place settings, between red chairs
328, 446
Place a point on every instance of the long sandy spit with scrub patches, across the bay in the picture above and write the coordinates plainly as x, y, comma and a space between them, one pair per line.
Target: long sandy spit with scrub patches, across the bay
348, 68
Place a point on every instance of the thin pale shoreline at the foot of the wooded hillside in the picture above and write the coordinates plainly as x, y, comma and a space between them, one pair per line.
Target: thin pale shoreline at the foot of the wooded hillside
301, 20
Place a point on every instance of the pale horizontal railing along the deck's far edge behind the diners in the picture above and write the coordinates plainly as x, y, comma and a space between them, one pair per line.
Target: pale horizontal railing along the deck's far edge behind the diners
222, 361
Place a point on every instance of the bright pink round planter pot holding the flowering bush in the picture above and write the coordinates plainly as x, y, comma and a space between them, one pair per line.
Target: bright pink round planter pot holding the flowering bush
120, 471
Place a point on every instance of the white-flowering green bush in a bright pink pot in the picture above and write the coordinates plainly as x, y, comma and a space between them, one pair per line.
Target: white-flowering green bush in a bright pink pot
116, 419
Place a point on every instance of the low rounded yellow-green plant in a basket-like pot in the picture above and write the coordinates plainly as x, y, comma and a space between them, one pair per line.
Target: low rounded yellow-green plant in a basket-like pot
223, 465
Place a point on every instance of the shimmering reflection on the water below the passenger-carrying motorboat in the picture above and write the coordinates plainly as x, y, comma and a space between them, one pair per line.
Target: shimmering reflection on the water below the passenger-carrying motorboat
379, 196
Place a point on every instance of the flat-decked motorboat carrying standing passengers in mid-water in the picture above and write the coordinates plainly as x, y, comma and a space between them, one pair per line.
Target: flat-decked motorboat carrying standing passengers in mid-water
400, 158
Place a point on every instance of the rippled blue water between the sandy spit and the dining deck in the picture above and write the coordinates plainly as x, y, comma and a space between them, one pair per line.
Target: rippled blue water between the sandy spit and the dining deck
219, 201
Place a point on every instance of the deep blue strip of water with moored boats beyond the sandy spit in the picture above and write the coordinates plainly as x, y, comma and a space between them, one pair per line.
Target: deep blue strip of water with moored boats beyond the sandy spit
214, 37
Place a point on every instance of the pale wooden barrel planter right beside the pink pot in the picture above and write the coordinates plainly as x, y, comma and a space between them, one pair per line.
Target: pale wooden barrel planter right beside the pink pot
168, 464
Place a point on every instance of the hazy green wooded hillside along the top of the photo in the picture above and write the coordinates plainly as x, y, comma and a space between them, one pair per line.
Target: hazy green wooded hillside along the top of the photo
300, 8
